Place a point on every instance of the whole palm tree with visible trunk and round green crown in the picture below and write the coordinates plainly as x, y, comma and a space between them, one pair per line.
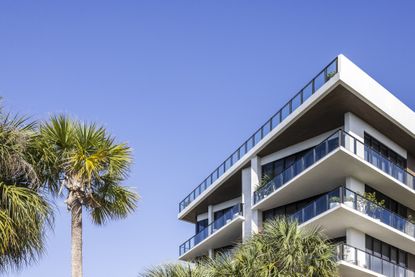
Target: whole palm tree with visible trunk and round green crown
85, 164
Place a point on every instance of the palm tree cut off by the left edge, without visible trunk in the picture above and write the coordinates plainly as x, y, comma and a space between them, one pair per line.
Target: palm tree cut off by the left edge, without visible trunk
25, 213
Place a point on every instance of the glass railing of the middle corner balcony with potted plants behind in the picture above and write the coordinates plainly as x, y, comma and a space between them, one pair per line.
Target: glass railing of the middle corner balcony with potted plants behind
356, 202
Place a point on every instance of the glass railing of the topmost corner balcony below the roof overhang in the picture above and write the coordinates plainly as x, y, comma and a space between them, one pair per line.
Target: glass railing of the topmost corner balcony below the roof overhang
350, 143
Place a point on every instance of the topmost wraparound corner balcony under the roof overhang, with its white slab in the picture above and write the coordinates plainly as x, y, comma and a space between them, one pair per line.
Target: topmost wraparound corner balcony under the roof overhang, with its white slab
334, 166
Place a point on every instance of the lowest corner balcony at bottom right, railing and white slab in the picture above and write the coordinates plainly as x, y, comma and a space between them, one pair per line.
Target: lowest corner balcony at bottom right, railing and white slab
350, 257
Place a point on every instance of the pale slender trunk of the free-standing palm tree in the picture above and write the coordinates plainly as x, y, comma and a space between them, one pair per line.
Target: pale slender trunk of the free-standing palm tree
76, 232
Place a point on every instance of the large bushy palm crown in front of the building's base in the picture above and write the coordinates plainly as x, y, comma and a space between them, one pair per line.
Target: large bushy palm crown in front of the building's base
283, 249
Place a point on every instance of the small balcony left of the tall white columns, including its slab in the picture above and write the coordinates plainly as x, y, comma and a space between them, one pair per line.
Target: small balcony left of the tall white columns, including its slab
219, 233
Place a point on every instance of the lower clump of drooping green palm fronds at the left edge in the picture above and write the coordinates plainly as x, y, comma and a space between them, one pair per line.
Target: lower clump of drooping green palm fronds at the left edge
25, 217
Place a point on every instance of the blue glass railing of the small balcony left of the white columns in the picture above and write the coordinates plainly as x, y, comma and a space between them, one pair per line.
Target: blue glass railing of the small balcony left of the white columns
217, 224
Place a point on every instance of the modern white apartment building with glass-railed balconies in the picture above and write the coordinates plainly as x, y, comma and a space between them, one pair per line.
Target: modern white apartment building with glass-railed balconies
341, 155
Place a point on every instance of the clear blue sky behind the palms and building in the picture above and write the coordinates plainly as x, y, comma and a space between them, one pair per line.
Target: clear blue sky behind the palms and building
184, 83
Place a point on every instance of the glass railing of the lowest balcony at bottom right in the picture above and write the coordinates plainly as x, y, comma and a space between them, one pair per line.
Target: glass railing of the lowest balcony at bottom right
369, 261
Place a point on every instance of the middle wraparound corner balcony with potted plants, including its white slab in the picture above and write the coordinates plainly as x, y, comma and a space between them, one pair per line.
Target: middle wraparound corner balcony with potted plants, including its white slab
342, 208
